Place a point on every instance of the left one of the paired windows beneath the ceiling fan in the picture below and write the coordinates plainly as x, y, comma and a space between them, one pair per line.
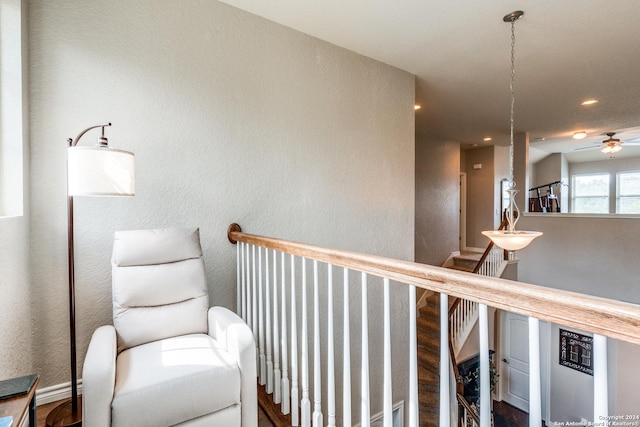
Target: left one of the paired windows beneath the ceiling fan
590, 193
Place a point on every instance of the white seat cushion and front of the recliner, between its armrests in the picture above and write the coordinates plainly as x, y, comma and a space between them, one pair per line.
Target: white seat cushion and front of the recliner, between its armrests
174, 380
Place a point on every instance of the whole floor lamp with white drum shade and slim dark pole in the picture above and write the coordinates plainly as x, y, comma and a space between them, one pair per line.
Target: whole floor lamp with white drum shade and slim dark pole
92, 171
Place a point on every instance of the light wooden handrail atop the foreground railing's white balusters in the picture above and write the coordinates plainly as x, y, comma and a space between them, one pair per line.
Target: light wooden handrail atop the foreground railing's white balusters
615, 319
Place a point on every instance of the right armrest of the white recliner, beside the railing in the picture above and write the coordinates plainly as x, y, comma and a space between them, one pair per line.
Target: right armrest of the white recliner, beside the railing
231, 331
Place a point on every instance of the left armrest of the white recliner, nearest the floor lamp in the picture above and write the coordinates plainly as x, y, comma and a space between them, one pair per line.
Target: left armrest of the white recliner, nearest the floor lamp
99, 377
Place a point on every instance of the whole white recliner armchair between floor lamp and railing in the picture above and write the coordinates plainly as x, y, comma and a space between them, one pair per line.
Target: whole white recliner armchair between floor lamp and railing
168, 359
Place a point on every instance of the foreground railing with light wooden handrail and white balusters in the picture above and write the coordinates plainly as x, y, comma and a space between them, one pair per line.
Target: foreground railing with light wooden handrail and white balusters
602, 317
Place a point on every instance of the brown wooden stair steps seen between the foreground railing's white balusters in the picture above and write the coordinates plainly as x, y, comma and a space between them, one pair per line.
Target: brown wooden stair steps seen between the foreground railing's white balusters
428, 330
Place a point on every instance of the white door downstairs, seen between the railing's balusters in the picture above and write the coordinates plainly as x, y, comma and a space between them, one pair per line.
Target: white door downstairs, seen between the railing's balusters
514, 376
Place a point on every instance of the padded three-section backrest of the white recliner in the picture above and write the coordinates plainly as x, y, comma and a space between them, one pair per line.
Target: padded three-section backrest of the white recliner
159, 285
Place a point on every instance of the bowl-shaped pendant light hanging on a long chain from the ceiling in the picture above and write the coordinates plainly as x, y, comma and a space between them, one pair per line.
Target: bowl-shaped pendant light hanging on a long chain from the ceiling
510, 239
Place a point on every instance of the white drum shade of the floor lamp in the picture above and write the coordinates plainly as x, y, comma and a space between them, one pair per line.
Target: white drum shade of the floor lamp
100, 171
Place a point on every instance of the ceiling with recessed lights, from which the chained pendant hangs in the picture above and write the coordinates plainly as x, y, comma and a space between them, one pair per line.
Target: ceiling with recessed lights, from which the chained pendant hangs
566, 51
